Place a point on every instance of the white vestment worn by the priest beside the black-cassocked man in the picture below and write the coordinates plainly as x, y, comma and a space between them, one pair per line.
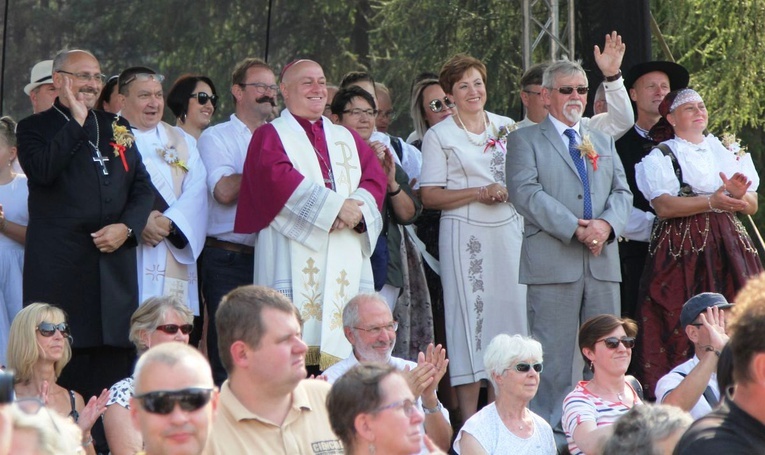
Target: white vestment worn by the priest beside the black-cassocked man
165, 269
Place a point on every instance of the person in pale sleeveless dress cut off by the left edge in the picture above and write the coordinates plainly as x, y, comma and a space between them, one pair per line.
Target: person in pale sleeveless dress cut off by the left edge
13, 231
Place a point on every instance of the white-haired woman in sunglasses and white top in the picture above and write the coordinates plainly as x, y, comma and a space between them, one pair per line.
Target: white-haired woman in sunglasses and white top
514, 364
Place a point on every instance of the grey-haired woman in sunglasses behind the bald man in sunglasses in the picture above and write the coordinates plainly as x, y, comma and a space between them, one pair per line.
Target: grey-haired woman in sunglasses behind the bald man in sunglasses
158, 320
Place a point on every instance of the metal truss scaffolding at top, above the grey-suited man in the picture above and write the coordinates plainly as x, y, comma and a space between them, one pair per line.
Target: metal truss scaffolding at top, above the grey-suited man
541, 24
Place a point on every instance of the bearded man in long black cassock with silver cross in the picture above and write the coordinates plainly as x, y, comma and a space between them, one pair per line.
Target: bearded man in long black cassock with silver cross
89, 198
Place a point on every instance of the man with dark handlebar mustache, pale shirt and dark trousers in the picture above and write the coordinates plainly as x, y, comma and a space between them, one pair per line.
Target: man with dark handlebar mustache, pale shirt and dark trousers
227, 259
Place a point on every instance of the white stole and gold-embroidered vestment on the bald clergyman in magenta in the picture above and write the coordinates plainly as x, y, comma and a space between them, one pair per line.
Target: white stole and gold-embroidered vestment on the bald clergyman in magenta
297, 254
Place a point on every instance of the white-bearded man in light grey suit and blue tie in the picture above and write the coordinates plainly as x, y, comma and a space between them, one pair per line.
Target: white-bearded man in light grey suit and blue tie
575, 201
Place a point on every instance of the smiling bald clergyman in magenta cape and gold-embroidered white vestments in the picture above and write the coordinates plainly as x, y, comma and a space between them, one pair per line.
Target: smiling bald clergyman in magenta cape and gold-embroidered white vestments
312, 191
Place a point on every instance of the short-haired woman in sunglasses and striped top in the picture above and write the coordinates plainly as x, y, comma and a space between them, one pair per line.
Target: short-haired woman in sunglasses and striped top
606, 343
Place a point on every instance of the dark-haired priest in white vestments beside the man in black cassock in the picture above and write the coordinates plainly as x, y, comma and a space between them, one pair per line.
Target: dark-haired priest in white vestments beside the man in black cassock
175, 230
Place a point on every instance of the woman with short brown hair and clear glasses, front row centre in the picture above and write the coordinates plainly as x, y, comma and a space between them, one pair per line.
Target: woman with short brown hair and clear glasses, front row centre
372, 410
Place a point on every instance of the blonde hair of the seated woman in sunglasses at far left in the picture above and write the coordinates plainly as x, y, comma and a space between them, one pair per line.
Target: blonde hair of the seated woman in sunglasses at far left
23, 349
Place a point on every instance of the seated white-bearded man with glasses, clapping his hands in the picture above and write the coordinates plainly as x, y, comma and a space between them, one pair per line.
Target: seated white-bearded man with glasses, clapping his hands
369, 327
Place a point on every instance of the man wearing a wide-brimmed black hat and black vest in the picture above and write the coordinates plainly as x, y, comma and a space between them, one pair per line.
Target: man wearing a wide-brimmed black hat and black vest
648, 83
